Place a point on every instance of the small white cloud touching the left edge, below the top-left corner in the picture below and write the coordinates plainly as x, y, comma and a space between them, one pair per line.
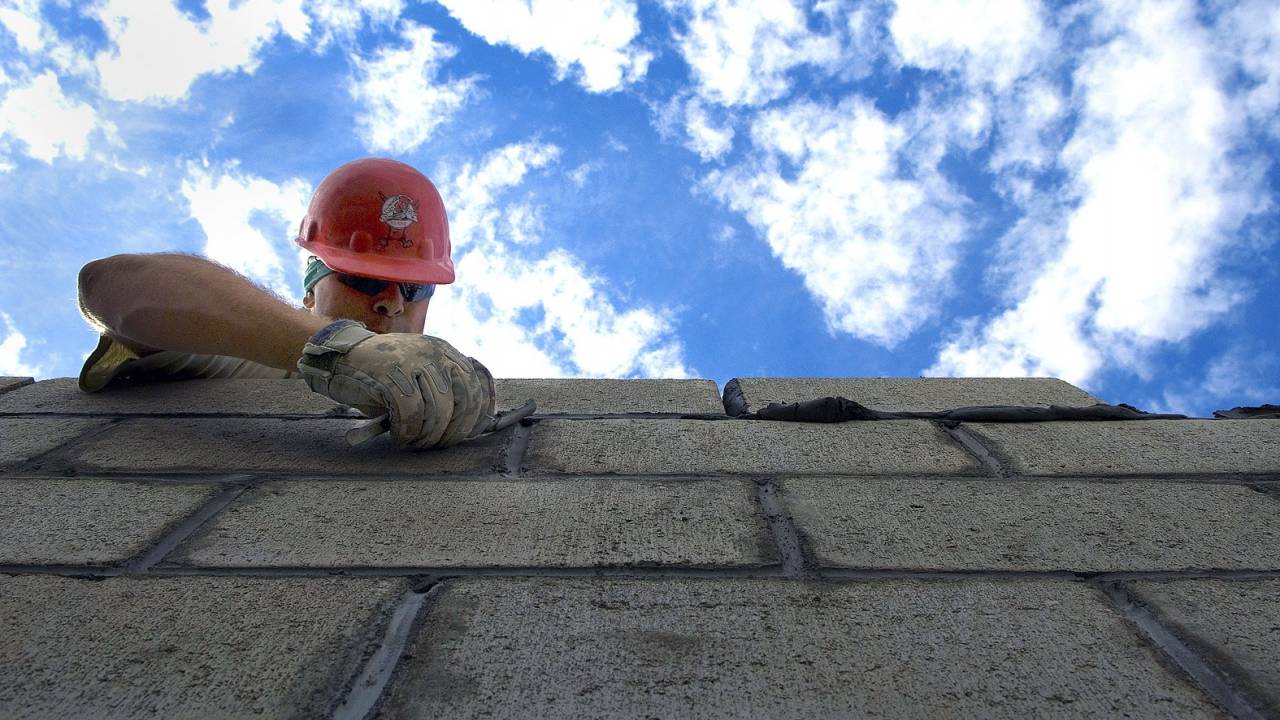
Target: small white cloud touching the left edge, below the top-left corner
47, 122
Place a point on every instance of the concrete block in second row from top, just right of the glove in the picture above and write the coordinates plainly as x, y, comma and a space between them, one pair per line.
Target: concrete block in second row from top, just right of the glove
678, 448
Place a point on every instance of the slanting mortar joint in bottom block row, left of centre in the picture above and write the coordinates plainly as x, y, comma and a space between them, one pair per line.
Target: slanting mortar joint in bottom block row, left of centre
367, 691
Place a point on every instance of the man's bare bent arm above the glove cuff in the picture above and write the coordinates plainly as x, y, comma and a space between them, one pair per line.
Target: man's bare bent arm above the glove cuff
193, 306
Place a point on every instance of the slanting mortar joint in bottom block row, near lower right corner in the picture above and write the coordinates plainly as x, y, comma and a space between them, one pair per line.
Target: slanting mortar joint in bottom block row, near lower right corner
1209, 678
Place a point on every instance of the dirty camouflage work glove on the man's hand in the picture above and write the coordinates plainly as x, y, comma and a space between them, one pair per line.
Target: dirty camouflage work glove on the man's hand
433, 395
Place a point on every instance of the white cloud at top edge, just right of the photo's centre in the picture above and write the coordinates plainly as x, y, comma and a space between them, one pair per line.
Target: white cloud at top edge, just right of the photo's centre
740, 52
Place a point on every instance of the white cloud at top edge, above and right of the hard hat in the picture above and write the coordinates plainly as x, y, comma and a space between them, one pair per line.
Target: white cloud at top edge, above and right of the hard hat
592, 38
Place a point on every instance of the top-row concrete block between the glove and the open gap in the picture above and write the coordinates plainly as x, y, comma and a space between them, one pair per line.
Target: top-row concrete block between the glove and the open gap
611, 397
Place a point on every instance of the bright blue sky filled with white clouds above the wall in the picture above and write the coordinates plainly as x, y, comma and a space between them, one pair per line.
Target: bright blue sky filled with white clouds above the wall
692, 189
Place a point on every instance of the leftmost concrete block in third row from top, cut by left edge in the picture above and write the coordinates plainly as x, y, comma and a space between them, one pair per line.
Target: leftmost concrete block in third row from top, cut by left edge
57, 522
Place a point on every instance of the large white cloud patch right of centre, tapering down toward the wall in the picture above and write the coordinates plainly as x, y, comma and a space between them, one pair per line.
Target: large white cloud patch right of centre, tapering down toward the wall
826, 188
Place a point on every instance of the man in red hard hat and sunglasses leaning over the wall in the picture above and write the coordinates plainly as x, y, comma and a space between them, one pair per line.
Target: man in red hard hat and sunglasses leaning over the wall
381, 243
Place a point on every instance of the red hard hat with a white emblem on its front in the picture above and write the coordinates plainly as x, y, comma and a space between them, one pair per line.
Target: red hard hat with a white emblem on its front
381, 220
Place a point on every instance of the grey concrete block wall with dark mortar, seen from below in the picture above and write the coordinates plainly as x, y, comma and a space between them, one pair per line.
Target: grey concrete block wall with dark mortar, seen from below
214, 549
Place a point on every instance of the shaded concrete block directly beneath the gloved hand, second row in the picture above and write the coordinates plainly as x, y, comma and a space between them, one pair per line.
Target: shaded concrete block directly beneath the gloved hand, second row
232, 445
